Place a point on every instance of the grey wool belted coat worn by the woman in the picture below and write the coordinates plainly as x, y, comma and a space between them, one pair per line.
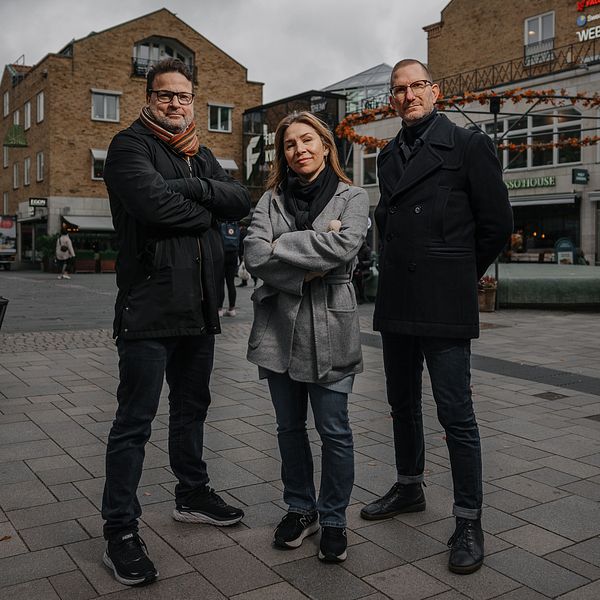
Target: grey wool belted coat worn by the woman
311, 330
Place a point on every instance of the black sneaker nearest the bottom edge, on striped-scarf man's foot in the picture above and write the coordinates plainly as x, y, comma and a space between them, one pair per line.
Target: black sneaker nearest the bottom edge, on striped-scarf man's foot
127, 556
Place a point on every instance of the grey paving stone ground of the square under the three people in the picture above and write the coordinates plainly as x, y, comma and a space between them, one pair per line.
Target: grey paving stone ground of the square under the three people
541, 452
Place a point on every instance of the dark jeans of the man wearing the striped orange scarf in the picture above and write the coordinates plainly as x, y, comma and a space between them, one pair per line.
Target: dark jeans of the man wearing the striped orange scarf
187, 363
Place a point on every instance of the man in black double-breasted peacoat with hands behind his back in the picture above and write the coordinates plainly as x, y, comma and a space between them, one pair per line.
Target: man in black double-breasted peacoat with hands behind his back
443, 217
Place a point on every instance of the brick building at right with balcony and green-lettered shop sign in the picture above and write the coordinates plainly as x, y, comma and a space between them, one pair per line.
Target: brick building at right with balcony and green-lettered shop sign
500, 45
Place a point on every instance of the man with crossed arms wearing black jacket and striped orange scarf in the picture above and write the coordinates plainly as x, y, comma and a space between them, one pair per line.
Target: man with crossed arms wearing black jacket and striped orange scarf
166, 193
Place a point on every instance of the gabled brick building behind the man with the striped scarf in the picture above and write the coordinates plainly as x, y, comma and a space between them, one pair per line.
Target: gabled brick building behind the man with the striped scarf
59, 116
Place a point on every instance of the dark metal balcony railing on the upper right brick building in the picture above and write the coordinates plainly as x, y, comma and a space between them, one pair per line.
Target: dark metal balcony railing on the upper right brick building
536, 64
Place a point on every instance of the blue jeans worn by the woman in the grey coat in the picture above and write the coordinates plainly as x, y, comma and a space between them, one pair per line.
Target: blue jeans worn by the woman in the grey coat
330, 410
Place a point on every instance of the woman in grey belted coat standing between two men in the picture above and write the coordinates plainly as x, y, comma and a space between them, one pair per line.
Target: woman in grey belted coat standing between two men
303, 240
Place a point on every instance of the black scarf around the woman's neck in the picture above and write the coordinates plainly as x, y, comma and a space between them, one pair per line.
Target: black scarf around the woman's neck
306, 201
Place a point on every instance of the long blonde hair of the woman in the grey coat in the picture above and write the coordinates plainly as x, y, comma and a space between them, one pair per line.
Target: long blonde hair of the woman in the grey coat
278, 171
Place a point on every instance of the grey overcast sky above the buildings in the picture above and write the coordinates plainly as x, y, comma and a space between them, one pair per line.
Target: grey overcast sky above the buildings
288, 45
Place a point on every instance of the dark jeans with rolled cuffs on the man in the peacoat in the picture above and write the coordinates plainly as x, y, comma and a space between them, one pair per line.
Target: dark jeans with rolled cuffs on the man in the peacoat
448, 363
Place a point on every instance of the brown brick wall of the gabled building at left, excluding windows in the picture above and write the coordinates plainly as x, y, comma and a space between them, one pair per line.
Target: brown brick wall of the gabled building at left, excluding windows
103, 61
